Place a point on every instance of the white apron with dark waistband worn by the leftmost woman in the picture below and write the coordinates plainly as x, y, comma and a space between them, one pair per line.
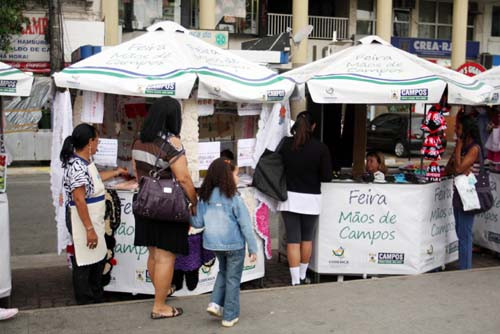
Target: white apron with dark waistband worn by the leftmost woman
97, 208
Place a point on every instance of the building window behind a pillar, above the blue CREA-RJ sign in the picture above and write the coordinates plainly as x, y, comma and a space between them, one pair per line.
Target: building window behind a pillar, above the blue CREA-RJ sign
436, 19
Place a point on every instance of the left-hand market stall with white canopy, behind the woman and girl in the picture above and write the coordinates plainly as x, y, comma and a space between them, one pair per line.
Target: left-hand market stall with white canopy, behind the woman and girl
216, 116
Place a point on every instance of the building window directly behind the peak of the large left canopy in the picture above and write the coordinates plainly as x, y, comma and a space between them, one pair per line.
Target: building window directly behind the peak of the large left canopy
139, 14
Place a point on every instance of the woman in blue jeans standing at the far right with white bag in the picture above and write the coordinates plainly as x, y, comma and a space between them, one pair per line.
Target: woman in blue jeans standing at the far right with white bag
466, 159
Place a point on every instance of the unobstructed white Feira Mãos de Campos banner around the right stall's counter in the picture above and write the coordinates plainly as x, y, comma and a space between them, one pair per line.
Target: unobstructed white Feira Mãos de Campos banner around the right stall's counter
384, 229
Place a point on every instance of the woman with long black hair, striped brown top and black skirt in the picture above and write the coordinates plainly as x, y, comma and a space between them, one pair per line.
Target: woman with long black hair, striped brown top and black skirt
159, 138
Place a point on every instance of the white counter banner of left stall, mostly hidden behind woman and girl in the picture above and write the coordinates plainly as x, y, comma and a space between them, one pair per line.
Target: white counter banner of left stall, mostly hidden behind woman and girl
130, 273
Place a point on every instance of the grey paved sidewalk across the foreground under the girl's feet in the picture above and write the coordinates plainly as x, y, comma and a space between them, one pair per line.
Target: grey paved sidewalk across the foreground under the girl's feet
449, 302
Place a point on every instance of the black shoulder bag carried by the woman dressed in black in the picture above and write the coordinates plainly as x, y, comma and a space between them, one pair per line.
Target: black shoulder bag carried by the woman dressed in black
269, 176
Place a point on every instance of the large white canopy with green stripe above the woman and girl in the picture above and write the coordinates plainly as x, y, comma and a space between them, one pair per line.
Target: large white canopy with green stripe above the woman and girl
167, 60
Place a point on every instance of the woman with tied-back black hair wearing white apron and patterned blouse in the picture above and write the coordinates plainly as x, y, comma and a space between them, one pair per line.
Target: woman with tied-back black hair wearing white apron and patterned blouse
86, 208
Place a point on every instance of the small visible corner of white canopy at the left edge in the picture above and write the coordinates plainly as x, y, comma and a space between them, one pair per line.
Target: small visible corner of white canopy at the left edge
14, 82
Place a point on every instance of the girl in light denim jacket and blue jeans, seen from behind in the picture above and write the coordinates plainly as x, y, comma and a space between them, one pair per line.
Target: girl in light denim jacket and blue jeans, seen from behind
227, 226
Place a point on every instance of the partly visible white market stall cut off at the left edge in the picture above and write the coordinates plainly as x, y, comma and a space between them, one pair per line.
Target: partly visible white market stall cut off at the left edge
12, 83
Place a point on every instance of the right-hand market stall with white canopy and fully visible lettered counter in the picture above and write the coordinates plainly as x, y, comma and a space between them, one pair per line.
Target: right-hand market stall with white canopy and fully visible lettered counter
369, 228
